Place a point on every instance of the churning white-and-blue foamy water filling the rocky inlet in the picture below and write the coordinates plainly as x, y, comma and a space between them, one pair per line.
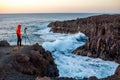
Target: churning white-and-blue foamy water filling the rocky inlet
71, 65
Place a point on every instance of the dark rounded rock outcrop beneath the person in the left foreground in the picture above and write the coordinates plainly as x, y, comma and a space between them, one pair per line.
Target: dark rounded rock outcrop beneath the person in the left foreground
26, 63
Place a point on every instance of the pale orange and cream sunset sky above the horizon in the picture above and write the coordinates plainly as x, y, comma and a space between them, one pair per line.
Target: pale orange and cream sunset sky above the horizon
59, 6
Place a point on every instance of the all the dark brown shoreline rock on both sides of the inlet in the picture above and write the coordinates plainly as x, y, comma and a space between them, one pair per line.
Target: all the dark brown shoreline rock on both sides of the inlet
34, 63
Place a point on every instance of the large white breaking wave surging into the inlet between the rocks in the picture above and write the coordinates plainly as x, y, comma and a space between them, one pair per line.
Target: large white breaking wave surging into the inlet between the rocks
66, 43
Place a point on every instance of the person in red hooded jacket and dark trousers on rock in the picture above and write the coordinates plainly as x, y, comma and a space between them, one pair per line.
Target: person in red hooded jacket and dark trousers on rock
19, 35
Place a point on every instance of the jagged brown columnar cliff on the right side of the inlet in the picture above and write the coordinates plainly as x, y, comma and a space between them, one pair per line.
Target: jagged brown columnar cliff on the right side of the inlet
104, 37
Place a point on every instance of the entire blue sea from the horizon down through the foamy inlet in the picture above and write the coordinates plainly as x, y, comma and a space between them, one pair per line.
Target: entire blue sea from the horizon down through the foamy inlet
60, 45
